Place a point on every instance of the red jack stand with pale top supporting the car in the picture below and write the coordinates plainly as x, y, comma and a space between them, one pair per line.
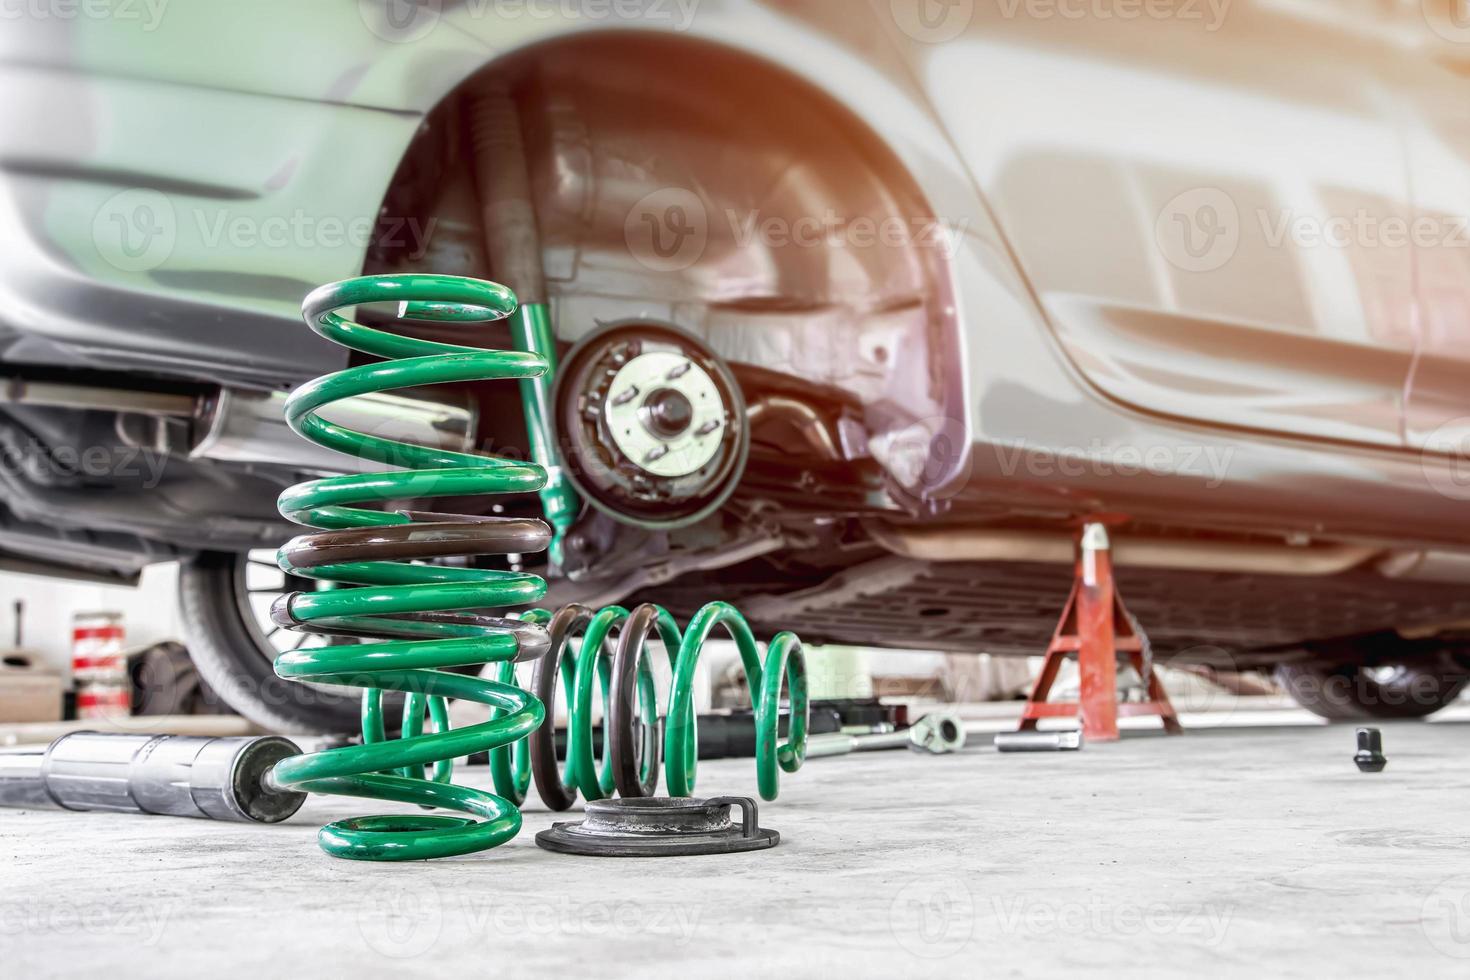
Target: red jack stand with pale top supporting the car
1097, 628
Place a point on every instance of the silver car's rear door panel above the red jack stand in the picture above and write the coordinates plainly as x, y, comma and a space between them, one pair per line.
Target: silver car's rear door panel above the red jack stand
1177, 192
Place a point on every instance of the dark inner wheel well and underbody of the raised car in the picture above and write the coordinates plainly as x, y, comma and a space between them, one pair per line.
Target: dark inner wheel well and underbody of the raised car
859, 462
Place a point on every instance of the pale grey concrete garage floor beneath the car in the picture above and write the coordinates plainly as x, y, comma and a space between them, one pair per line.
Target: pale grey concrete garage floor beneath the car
1228, 851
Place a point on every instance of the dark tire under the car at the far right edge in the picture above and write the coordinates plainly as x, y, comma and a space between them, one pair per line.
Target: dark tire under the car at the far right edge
1360, 693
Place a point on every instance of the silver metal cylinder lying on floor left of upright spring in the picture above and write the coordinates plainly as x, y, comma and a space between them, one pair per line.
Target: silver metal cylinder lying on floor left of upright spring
174, 775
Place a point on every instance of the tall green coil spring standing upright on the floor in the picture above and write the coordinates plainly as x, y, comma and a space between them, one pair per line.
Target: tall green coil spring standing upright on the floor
380, 587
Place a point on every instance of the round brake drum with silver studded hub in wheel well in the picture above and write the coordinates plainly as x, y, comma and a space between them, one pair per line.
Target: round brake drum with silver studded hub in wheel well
653, 425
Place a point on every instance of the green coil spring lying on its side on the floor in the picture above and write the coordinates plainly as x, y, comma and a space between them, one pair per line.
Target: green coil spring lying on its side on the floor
631, 744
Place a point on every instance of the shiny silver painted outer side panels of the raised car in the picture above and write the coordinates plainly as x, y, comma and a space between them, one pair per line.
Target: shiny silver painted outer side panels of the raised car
1087, 371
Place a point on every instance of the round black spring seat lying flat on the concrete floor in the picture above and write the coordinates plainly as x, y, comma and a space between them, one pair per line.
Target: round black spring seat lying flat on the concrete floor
658, 828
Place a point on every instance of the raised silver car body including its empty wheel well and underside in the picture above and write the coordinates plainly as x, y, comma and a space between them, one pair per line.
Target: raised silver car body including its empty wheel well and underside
1197, 270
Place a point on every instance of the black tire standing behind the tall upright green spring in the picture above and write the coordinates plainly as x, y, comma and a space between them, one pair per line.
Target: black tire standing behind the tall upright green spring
234, 655
